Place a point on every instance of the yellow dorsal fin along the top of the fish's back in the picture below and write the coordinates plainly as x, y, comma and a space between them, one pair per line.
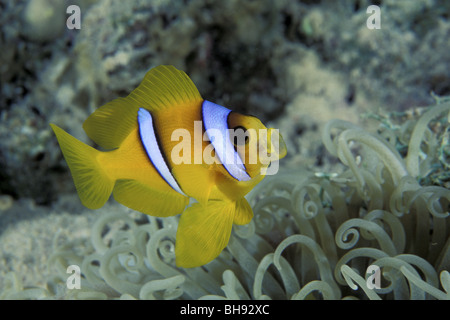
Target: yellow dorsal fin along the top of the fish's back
163, 87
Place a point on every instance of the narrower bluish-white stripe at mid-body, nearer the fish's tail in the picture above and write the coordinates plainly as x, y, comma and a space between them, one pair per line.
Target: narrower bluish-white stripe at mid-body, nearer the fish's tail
148, 138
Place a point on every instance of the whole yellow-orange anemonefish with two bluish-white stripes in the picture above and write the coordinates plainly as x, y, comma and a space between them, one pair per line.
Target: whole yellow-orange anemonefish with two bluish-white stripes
163, 146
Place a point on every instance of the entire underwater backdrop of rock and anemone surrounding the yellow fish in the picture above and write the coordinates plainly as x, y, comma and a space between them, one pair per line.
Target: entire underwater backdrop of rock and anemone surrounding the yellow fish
368, 191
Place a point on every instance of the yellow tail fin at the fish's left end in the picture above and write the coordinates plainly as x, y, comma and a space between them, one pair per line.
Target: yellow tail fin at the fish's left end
91, 181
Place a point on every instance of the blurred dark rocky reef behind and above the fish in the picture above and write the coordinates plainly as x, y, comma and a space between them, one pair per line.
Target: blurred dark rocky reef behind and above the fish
299, 63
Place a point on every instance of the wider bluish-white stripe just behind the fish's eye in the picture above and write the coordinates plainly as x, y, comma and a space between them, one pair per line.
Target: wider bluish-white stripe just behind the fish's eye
215, 120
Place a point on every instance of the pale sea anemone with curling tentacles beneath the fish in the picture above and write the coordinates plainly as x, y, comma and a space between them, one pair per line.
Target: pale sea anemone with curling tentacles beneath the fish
313, 235
